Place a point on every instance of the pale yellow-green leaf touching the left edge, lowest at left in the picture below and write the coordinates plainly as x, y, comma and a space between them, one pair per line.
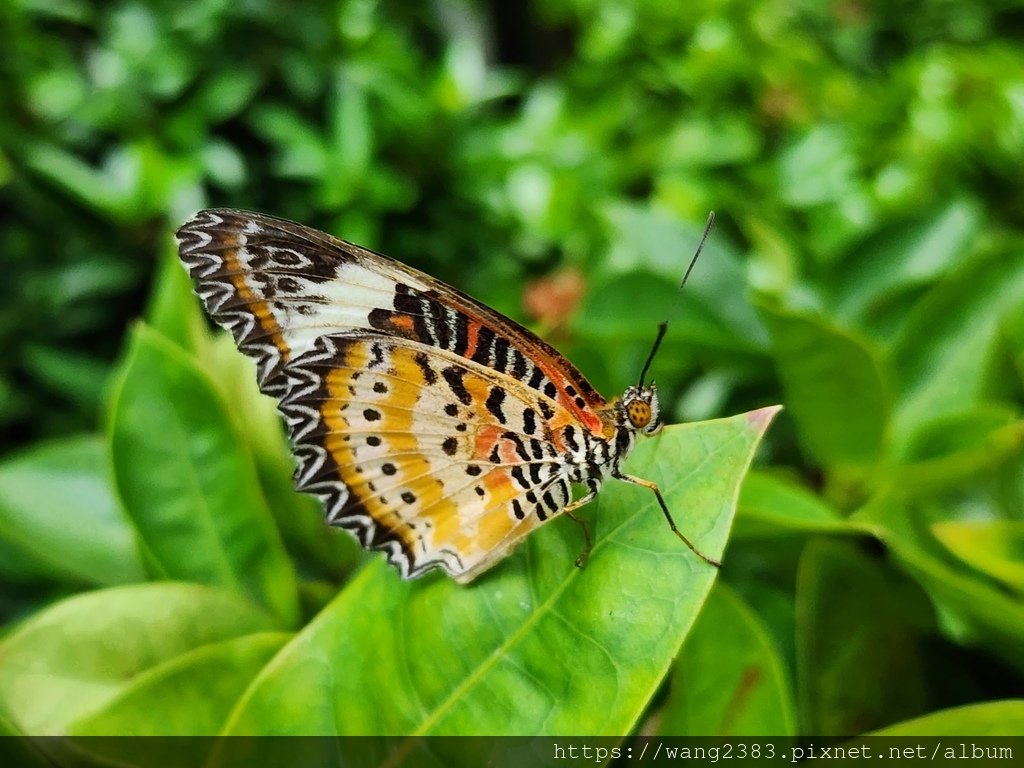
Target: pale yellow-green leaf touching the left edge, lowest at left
80, 654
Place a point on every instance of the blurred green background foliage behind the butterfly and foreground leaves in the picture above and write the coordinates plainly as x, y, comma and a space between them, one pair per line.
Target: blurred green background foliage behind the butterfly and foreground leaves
558, 160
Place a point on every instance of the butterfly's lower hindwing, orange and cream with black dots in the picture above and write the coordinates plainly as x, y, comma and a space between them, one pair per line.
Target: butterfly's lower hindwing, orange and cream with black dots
435, 459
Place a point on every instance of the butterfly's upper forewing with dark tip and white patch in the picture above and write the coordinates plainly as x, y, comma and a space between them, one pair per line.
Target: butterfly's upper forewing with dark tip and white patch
279, 287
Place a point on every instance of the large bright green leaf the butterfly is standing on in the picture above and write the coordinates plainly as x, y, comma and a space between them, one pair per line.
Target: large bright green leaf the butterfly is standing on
478, 660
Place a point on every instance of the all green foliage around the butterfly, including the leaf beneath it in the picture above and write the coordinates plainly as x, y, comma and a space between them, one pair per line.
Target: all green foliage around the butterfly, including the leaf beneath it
867, 272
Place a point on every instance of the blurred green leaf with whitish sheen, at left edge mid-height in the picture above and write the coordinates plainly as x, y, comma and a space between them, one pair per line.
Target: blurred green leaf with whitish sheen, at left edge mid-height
59, 513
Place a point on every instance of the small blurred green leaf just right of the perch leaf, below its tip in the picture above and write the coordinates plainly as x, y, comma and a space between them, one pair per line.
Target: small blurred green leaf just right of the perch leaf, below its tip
772, 505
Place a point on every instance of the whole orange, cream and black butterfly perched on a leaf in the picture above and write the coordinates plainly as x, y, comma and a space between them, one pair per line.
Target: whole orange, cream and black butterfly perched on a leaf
431, 426
